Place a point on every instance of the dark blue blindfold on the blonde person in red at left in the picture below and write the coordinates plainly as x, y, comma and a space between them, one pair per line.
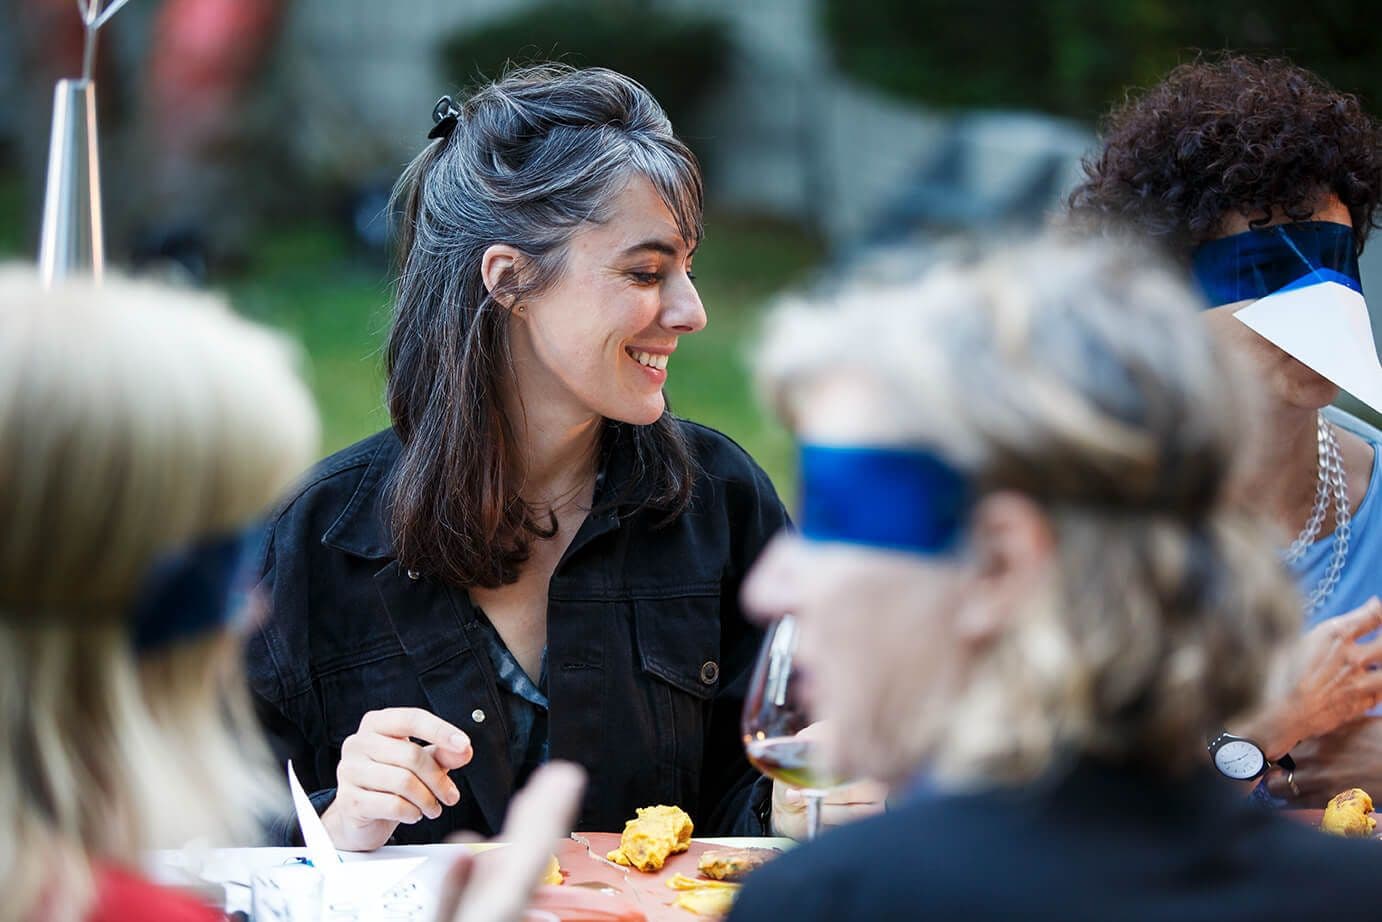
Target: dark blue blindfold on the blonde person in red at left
191, 592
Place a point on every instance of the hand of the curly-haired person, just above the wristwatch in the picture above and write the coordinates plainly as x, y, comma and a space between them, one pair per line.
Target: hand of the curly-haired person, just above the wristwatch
1332, 679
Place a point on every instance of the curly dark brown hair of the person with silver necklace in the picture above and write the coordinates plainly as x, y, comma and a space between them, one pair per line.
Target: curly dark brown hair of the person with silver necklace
1231, 135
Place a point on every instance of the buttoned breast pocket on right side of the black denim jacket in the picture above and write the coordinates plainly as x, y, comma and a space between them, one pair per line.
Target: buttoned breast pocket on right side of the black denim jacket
679, 652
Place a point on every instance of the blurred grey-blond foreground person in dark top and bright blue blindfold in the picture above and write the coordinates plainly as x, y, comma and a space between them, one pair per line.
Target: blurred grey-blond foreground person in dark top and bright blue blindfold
1023, 595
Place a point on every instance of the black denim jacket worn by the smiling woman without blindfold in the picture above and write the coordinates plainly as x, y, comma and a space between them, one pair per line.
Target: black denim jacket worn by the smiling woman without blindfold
649, 655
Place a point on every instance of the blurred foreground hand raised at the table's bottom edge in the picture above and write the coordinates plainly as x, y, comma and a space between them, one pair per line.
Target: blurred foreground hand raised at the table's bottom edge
540, 816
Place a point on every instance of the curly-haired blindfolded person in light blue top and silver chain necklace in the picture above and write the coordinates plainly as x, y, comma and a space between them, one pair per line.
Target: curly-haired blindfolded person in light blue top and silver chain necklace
1260, 176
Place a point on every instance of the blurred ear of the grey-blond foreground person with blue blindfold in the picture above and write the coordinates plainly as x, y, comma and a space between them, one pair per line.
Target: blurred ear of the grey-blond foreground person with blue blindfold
1014, 551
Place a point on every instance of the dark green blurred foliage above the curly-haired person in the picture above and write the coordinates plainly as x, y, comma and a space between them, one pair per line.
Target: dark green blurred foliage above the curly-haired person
1079, 57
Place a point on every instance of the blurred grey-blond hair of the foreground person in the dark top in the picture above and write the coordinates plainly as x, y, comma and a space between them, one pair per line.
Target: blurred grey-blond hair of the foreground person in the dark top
1077, 374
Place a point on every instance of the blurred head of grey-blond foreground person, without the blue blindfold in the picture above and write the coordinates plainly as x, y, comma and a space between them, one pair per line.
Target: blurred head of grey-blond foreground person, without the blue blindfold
1077, 389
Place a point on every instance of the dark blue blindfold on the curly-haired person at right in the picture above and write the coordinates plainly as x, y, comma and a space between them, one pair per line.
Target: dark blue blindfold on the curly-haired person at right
1257, 263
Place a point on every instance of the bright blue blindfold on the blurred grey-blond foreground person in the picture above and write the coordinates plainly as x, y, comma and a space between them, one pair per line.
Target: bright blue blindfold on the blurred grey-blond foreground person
892, 498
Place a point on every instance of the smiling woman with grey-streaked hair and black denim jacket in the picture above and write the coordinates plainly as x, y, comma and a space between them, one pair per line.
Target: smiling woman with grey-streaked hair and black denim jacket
537, 559
